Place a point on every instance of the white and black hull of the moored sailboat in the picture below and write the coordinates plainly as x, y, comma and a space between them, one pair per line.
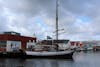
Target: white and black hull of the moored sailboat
53, 55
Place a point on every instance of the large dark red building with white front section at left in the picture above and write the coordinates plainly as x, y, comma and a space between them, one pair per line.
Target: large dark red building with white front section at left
10, 41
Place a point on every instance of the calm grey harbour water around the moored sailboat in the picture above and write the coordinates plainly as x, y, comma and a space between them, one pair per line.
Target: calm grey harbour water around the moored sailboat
81, 59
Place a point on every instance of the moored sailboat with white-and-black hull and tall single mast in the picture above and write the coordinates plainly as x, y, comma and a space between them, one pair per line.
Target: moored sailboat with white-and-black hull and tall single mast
64, 53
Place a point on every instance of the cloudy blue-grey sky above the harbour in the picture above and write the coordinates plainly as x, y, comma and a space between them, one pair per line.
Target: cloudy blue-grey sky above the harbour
80, 19
